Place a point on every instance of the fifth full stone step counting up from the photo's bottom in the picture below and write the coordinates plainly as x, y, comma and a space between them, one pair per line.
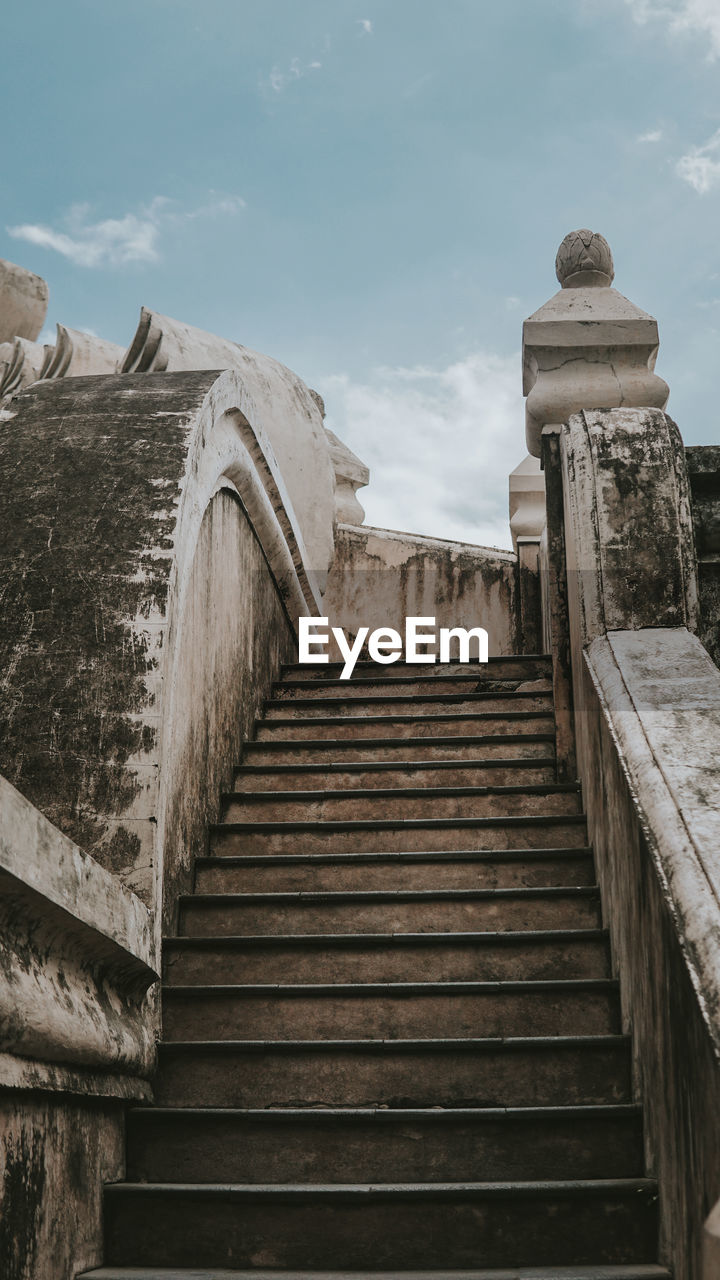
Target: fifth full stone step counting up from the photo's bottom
389, 958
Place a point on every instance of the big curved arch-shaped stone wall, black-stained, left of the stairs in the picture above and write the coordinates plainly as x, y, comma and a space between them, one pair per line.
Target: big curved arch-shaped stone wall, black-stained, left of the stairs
104, 604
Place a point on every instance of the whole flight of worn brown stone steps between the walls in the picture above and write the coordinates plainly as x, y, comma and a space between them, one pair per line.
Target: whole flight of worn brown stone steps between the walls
391, 1039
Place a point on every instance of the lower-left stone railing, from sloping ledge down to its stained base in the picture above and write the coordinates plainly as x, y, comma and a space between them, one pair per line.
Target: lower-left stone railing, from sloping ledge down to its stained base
76, 1040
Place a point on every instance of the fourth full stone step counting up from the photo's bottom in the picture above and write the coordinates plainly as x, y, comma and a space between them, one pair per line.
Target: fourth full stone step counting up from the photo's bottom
393, 1011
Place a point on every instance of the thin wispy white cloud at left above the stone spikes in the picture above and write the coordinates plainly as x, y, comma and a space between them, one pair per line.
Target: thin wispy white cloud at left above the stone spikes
117, 241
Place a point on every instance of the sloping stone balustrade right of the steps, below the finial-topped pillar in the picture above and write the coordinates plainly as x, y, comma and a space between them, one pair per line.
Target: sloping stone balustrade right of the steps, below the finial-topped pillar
649, 725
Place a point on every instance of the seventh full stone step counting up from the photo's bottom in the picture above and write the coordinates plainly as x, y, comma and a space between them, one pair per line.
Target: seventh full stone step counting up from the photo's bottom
500, 868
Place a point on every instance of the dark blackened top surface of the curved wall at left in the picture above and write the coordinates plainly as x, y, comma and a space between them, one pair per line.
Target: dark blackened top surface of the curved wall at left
90, 473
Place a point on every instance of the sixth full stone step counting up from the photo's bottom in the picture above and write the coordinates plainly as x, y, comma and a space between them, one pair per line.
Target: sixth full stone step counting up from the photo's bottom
393, 912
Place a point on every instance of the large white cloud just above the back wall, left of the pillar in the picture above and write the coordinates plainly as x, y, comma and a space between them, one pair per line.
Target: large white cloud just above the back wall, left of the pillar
440, 445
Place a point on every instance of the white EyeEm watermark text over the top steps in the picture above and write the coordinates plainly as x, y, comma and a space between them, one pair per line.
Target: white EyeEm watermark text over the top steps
422, 643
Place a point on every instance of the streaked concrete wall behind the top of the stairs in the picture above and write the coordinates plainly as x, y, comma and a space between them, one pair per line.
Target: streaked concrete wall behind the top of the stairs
380, 578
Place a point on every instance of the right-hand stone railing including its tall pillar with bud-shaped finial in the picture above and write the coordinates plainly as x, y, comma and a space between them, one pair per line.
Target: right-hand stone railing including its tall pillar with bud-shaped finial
639, 701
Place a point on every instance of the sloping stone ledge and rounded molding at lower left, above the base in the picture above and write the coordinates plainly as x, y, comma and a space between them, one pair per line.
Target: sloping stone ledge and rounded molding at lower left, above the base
79, 959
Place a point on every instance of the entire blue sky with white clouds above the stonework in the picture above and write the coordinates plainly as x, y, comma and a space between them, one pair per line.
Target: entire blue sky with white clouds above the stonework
373, 193
